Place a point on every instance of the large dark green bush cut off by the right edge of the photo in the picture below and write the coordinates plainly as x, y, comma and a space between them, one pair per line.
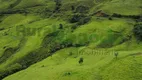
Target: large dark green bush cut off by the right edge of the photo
138, 31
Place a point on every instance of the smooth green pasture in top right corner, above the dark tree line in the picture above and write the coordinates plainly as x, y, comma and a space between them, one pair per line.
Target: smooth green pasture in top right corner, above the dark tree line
125, 7
